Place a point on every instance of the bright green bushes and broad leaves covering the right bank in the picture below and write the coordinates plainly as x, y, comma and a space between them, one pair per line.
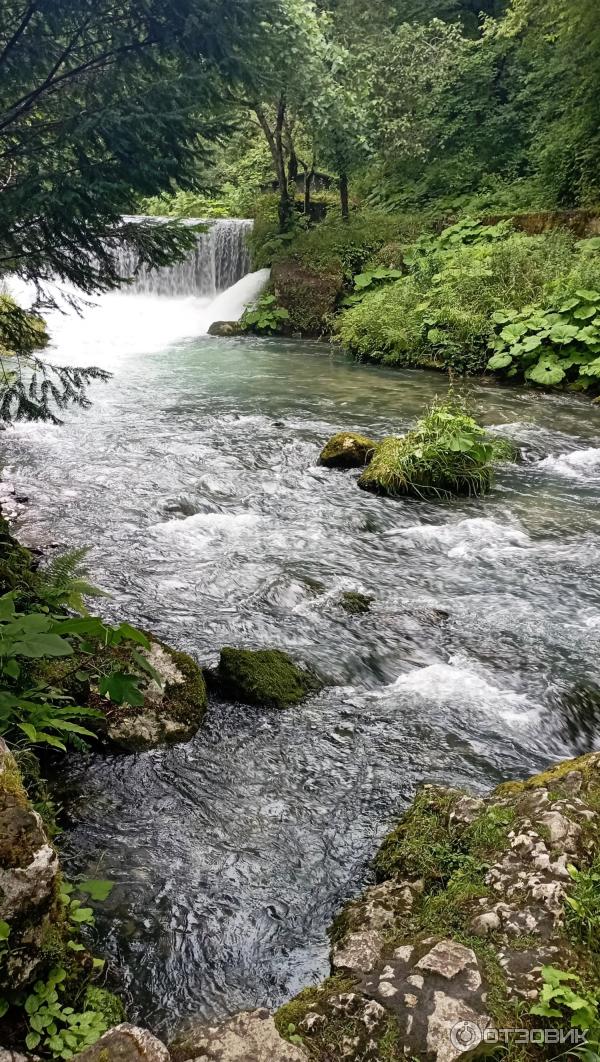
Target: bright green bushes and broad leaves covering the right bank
461, 299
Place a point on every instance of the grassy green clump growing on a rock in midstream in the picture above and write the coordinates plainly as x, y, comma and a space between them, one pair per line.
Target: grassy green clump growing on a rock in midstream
447, 454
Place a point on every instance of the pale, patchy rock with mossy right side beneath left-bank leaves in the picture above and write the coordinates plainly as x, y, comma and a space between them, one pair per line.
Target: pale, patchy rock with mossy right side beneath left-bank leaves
174, 709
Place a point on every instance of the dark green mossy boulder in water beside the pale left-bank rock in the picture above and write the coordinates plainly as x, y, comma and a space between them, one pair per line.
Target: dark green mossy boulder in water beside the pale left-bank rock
267, 678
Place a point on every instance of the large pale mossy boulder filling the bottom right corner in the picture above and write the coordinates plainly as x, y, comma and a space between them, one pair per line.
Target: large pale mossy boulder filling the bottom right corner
473, 901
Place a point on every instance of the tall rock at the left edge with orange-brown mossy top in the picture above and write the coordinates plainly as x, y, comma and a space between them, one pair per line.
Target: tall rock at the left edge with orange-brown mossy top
29, 871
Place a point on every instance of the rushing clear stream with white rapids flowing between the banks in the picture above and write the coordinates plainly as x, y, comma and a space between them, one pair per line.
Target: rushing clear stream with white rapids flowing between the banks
195, 478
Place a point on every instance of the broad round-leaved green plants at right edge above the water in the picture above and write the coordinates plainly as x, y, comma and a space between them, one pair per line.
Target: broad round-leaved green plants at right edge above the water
551, 346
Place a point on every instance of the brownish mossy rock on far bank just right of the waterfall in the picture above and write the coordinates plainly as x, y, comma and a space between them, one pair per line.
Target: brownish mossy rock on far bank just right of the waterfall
310, 296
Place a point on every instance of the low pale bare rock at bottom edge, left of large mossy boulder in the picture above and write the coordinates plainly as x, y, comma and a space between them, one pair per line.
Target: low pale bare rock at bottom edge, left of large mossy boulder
250, 1037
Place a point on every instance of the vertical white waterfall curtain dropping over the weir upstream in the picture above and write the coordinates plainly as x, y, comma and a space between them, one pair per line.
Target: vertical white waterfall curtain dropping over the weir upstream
220, 260
